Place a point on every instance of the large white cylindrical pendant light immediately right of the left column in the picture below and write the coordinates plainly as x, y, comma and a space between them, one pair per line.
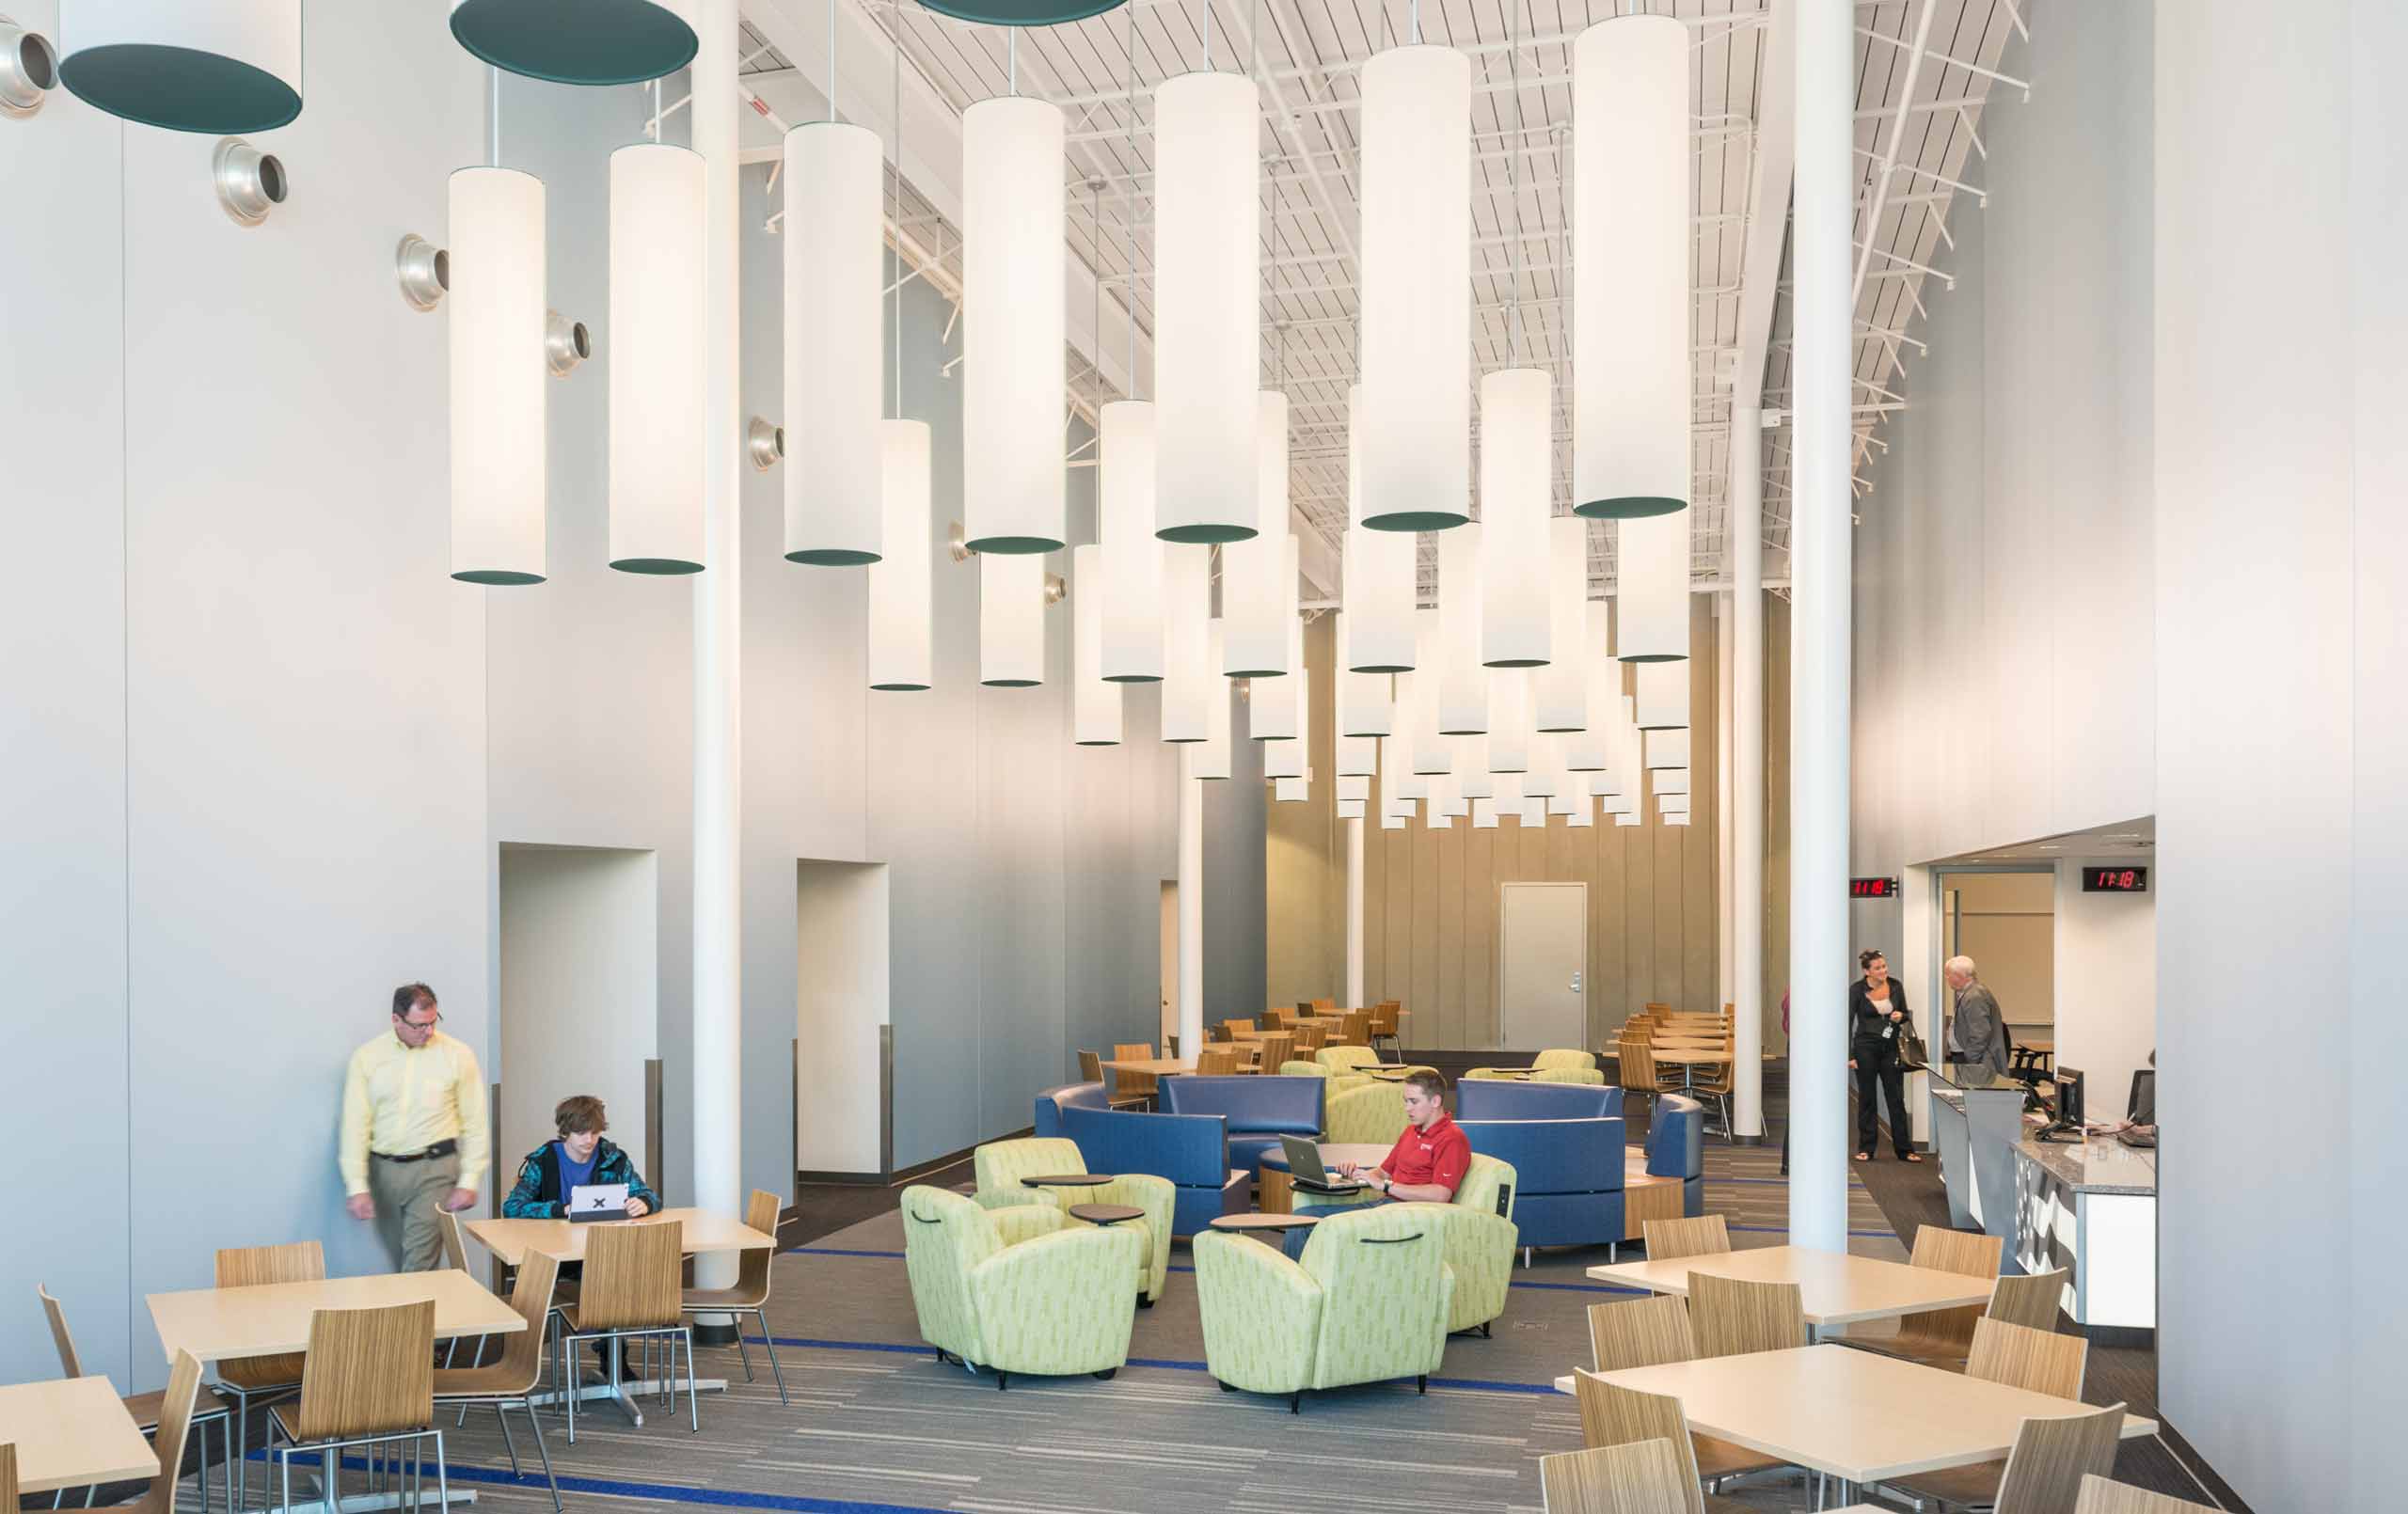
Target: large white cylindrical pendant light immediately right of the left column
834, 249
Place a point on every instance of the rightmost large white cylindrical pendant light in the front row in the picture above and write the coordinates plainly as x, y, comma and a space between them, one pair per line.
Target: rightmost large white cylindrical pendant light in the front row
1631, 302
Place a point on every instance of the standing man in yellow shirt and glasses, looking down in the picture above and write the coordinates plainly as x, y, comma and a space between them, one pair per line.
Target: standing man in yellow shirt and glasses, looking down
413, 1130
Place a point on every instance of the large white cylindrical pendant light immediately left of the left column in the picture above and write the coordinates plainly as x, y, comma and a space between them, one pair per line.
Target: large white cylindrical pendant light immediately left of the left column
656, 360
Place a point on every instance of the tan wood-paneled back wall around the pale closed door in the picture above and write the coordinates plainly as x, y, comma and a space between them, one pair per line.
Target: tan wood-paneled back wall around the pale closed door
1432, 897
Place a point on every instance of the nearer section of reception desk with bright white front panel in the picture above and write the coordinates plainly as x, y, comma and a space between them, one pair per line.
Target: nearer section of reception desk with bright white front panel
2094, 1212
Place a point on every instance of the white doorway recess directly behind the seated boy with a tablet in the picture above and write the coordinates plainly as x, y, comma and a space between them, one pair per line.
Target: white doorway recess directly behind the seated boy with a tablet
579, 993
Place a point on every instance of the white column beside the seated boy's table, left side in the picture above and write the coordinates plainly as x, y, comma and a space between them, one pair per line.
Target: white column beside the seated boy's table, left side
719, 637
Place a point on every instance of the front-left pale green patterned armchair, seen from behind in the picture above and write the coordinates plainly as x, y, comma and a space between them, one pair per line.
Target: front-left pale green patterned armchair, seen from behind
1051, 1303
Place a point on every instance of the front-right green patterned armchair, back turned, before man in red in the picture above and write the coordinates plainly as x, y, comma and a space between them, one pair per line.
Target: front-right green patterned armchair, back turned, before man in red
1369, 1303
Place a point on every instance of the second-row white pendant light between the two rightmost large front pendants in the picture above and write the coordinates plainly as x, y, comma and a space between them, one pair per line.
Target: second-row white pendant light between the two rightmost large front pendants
1518, 466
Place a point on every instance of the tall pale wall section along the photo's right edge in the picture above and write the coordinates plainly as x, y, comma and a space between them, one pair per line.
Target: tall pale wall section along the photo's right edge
2282, 747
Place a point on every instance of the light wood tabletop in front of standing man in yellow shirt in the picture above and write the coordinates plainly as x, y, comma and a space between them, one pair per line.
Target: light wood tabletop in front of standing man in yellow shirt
223, 1325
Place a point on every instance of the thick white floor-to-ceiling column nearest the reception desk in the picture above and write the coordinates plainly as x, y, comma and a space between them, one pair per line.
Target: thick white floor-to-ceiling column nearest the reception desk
1819, 617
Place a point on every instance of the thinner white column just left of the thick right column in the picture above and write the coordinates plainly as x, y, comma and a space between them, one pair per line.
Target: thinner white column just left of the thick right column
1747, 637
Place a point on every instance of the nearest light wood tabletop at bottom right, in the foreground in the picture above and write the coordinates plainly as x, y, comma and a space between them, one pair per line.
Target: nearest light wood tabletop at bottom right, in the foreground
1851, 1414
